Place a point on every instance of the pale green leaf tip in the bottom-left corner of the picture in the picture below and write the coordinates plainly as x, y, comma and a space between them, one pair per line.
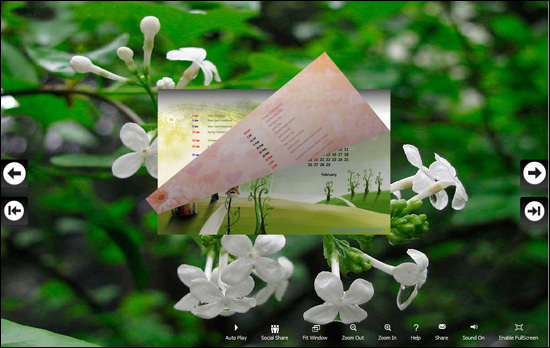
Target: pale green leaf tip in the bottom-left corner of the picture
15, 335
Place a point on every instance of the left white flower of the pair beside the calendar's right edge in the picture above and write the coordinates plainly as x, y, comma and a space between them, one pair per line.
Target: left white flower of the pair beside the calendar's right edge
423, 179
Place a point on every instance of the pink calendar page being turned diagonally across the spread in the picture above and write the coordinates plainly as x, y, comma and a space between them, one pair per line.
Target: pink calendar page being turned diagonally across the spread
315, 113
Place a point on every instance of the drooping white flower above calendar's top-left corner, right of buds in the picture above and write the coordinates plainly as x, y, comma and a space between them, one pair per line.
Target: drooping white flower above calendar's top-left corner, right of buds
196, 55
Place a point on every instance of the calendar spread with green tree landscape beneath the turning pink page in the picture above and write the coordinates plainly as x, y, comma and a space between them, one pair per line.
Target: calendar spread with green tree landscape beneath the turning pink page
343, 192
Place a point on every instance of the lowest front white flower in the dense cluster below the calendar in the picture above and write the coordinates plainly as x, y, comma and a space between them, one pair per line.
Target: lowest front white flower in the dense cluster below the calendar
215, 300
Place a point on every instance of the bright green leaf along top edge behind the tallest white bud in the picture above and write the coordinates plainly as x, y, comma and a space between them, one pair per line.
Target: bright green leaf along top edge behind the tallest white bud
178, 26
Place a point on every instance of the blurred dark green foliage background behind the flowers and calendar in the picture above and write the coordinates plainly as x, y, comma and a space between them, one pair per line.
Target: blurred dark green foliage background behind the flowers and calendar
469, 81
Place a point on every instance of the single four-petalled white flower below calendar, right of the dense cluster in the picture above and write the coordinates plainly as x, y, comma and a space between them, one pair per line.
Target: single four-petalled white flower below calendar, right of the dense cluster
329, 288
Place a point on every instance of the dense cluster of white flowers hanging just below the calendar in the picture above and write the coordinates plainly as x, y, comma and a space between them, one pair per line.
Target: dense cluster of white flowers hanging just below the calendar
226, 289
